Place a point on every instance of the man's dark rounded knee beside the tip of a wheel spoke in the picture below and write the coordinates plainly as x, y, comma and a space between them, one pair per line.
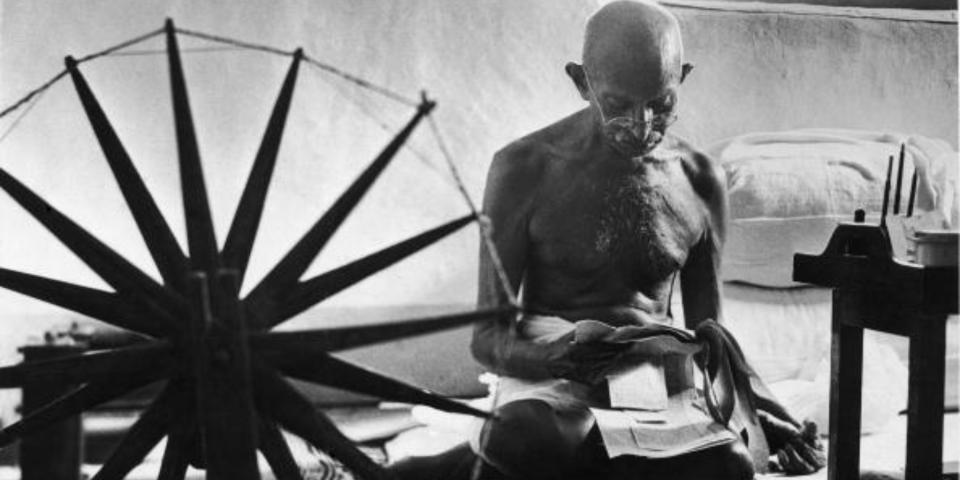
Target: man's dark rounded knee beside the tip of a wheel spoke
530, 439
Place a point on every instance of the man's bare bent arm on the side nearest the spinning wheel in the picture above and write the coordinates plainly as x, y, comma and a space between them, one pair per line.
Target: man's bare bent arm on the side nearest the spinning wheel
508, 202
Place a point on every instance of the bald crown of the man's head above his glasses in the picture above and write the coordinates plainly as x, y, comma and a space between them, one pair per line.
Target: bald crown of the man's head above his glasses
633, 41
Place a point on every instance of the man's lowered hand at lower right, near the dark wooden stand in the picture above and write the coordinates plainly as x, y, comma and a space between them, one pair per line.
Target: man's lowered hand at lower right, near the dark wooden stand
801, 452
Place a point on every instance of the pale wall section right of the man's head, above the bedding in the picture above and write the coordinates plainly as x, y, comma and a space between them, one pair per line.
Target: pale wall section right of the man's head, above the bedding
770, 71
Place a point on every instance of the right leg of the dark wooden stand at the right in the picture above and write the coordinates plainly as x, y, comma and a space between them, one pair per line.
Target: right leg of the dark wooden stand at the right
925, 400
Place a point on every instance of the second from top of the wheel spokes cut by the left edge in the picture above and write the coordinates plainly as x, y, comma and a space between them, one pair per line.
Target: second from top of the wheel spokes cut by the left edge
104, 306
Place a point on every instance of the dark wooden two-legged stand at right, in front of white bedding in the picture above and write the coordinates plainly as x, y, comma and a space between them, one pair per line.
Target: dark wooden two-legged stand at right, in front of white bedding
873, 290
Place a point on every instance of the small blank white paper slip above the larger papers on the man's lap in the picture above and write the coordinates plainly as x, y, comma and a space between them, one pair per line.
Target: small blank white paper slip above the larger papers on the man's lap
640, 388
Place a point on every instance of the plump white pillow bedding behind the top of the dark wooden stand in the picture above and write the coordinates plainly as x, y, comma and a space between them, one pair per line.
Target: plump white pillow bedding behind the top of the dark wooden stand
787, 191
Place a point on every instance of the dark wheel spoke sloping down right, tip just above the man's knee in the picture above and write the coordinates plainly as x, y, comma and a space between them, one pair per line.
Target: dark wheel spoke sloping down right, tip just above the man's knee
330, 371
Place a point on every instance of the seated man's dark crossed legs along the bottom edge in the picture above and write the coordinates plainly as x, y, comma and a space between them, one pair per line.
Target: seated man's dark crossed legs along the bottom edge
531, 440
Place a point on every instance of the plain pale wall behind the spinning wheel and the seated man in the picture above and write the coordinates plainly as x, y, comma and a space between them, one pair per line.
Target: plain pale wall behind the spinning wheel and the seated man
496, 69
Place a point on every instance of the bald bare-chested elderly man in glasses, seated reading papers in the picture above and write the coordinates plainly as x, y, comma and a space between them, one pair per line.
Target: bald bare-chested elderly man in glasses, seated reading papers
594, 218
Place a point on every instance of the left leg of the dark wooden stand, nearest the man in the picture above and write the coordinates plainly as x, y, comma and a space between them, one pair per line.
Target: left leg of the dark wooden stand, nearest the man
846, 375
